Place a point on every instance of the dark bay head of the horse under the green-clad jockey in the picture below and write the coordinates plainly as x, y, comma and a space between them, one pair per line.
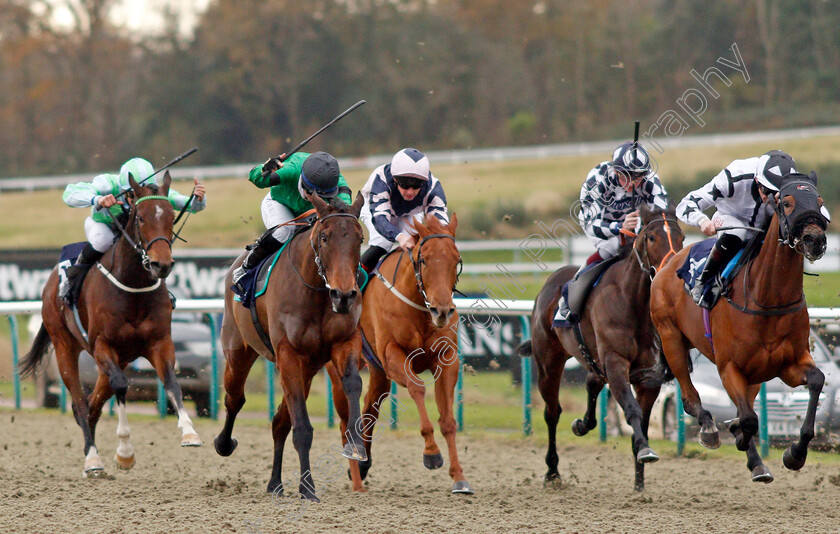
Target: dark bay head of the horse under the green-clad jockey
336, 240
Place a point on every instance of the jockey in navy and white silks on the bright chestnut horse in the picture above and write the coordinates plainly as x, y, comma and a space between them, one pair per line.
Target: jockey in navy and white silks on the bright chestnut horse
397, 194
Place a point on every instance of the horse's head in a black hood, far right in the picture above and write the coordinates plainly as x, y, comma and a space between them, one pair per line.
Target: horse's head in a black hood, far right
802, 216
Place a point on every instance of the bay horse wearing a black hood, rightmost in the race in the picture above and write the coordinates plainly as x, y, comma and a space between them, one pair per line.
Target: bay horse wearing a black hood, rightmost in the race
760, 333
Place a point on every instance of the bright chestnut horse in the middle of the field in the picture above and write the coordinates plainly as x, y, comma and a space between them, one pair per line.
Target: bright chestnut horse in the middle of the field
410, 321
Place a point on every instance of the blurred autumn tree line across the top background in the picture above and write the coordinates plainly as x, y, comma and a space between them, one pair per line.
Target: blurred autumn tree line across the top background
256, 76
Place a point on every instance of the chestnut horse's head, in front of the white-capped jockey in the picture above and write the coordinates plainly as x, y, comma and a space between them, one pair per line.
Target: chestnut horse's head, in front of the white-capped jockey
437, 264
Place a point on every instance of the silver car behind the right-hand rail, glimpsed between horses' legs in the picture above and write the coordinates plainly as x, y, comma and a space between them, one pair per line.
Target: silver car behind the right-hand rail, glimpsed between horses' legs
785, 405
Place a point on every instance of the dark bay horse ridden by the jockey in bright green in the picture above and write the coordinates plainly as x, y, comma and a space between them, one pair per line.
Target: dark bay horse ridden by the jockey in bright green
310, 314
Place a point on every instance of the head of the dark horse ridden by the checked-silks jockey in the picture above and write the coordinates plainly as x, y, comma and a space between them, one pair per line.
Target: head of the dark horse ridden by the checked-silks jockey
660, 239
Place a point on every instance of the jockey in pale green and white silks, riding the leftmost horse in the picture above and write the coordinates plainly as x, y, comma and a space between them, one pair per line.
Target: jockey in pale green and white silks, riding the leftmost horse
100, 228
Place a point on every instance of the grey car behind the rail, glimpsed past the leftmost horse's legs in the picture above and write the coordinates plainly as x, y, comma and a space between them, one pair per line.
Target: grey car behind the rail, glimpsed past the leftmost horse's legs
191, 336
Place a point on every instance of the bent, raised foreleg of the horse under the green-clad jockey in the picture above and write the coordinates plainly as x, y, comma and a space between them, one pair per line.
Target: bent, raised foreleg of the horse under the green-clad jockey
345, 358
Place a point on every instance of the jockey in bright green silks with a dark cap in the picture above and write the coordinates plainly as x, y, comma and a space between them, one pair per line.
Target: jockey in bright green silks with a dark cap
289, 180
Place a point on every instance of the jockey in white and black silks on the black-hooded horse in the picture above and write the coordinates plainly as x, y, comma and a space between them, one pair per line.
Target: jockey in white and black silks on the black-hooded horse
742, 193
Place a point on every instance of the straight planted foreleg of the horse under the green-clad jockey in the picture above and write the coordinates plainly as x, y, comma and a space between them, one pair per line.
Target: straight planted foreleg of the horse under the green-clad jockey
295, 378
